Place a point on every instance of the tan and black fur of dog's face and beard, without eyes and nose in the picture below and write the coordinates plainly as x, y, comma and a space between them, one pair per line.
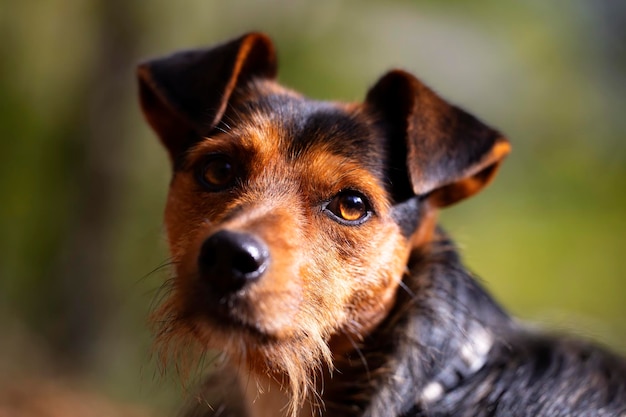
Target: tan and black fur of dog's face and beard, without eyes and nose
327, 282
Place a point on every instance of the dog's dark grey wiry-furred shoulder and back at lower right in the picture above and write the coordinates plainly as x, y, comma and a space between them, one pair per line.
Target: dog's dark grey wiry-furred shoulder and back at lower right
461, 355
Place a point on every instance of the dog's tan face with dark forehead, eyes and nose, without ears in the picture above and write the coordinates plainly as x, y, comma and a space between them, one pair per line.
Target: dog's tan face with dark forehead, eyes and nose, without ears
280, 221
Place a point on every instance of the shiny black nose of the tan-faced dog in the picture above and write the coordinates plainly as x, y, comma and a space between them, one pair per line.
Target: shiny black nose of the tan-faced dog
230, 260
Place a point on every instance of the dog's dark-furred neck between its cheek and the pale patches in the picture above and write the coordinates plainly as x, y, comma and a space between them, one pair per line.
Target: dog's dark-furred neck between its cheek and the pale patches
437, 336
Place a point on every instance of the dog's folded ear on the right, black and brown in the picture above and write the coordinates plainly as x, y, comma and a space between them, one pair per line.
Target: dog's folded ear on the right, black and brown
449, 154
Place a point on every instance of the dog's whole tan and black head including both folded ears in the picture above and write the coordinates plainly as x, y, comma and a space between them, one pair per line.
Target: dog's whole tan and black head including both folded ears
290, 221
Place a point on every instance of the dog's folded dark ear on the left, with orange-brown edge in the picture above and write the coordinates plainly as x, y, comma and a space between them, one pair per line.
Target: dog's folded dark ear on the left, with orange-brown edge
184, 96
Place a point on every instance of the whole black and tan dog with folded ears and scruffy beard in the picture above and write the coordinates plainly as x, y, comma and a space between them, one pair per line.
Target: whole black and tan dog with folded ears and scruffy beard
306, 249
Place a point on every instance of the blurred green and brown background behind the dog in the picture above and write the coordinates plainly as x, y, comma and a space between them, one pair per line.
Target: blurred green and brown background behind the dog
83, 180
